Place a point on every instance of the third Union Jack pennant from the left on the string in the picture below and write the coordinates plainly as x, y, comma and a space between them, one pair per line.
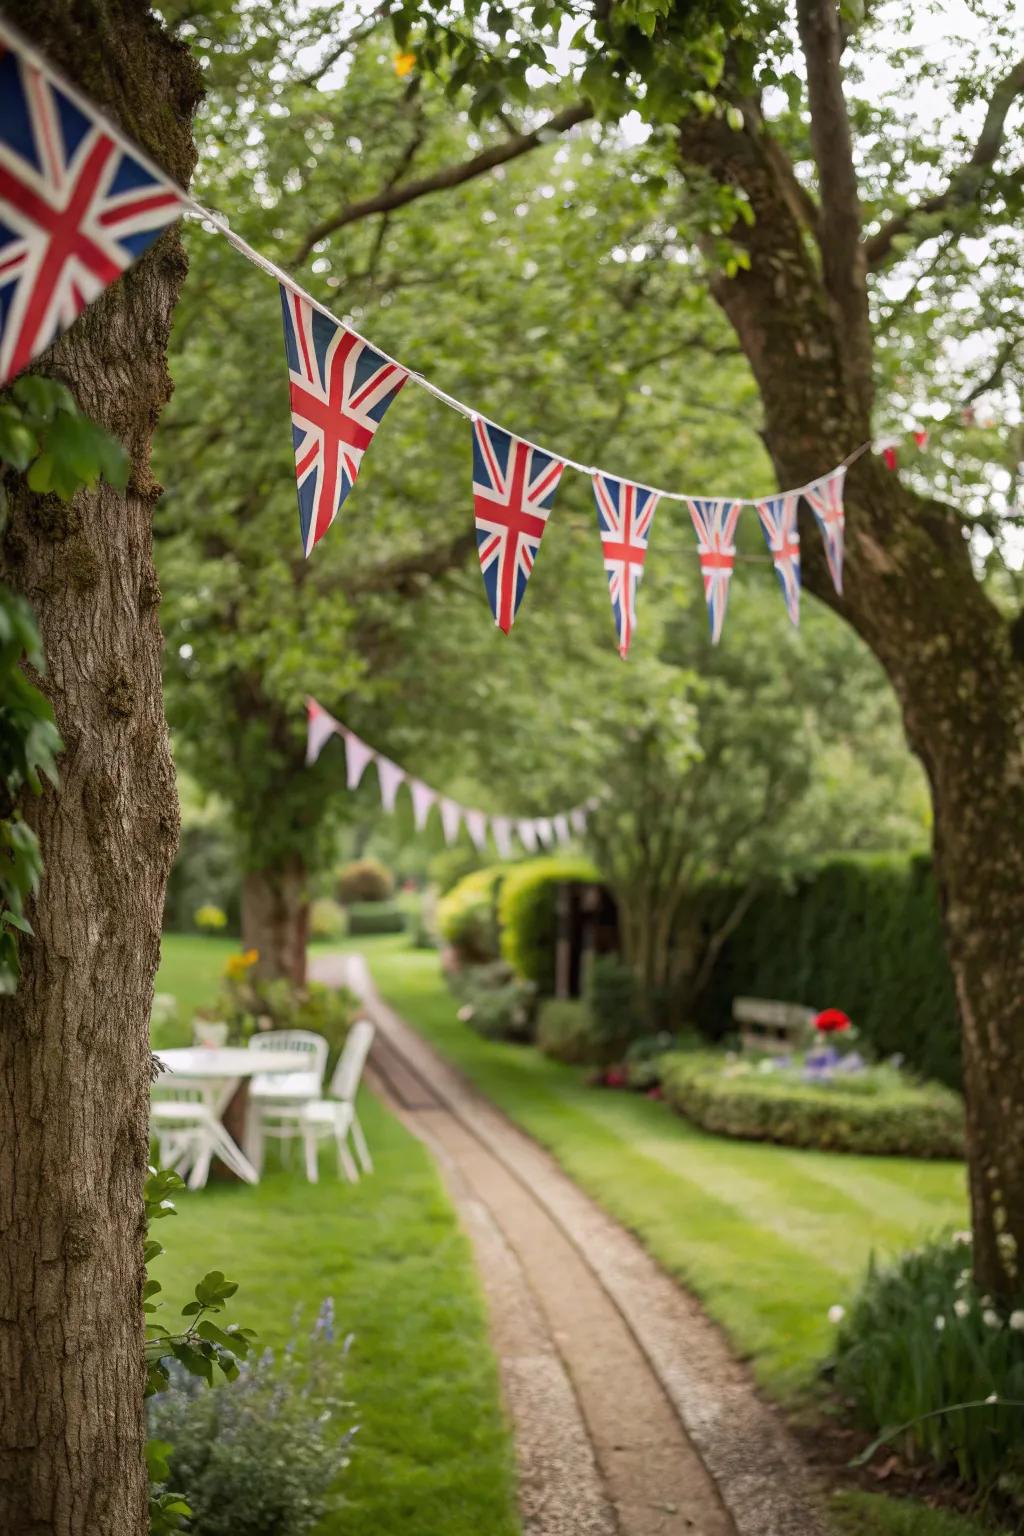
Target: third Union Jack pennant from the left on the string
514, 489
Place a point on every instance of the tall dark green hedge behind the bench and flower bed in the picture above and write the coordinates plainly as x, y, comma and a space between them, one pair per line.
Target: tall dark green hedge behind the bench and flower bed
860, 933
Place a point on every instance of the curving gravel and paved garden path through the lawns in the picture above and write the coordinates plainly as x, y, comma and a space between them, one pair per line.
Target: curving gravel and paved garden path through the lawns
632, 1415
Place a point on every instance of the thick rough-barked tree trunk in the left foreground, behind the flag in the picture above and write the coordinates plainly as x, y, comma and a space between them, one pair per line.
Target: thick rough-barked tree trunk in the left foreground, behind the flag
74, 1041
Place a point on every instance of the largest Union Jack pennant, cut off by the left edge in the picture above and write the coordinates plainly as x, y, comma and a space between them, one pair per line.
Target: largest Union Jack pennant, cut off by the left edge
78, 208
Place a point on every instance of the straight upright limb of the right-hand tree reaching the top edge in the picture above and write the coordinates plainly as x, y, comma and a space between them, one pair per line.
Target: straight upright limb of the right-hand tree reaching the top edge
841, 227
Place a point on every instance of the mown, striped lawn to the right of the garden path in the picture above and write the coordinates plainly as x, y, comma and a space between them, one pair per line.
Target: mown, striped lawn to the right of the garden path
768, 1237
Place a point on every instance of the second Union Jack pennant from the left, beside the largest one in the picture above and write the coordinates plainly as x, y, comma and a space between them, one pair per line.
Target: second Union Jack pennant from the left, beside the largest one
340, 391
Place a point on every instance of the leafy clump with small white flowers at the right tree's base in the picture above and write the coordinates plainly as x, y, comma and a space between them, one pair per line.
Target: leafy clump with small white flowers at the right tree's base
917, 1340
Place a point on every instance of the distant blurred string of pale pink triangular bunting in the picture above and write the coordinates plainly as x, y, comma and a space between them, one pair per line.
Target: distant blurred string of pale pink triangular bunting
532, 832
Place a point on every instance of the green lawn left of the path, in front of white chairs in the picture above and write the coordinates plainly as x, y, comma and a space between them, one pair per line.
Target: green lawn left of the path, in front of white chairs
434, 1452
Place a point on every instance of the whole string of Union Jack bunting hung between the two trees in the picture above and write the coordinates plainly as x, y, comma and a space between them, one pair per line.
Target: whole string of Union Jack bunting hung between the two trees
62, 156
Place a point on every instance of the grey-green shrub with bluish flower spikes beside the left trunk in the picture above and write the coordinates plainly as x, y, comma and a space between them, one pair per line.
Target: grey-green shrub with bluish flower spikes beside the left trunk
262, 1457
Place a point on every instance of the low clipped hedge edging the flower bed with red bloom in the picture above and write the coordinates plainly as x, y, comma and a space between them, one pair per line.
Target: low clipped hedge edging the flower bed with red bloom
899, 1121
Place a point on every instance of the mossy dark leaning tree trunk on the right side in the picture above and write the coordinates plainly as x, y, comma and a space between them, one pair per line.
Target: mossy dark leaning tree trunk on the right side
911, 594
